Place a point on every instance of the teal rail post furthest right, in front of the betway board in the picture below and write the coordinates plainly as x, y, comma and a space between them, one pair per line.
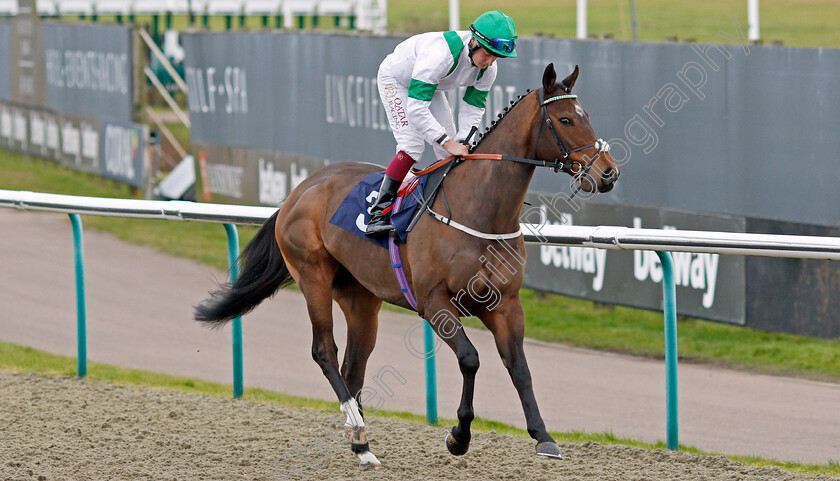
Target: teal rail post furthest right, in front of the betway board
669, 294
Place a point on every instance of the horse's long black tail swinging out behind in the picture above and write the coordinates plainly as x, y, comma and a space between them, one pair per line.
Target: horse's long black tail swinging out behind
263, 273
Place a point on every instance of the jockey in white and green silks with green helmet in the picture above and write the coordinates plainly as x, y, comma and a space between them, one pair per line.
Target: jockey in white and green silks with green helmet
412, 81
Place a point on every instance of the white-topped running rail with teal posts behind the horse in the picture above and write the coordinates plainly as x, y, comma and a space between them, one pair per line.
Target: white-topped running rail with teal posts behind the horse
602, 237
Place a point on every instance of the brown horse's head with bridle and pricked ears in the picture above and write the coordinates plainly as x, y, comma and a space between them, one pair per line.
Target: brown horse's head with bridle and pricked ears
562, 134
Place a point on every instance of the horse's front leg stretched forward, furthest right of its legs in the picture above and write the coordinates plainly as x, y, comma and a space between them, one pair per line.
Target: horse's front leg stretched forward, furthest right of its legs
507, 323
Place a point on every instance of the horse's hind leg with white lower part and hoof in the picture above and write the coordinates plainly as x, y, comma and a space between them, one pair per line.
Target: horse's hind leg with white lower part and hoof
315, 280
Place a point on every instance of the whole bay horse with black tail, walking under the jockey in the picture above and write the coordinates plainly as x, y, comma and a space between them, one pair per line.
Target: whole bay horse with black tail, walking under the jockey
547, 127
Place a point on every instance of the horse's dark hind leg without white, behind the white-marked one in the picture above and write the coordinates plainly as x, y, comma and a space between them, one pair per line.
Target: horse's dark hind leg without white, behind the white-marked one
361, 309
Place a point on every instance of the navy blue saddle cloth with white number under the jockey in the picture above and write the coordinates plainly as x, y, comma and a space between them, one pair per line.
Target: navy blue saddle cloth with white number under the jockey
353, 213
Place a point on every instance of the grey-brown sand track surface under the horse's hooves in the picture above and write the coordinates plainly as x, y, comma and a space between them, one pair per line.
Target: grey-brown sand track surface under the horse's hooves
64, 428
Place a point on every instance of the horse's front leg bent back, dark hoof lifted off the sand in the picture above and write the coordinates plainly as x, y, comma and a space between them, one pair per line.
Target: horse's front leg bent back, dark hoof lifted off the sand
438, 311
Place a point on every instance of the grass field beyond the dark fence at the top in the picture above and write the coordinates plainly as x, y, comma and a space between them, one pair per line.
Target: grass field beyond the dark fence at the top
804, 23
